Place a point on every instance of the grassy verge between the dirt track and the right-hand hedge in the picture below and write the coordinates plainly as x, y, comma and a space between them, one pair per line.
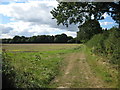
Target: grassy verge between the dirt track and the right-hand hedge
102, 69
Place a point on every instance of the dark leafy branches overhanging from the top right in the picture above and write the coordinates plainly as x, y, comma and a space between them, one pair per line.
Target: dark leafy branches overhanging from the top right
78, 12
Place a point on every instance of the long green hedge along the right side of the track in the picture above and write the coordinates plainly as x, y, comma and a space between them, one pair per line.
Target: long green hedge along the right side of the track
107, 44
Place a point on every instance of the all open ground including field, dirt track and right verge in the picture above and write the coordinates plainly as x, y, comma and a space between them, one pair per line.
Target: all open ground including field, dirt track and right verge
57, 66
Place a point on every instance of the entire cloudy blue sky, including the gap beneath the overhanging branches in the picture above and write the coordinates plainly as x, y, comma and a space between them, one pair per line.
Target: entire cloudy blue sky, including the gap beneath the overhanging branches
29, 18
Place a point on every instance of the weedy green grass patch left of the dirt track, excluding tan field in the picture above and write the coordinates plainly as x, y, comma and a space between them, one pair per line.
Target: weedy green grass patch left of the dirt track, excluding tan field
35, 68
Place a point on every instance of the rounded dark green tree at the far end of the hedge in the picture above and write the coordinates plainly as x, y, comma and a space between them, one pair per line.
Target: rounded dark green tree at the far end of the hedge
88, 30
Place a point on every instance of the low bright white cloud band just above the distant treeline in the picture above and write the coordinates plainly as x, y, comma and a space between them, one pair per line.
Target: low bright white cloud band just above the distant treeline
26, 29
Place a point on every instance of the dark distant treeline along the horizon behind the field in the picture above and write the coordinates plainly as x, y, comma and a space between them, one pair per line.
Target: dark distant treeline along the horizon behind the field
61, 38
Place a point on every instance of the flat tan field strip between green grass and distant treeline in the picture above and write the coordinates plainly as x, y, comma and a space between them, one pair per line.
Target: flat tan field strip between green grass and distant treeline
37, 47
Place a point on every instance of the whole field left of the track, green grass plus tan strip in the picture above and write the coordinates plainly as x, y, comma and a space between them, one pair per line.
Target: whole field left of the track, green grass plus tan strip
36, 69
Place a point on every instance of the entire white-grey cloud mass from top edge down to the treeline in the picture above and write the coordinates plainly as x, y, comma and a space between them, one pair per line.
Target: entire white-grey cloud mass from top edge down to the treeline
32, 18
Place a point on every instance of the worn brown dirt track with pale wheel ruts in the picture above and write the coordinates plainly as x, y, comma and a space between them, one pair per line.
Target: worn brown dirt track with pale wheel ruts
77, 73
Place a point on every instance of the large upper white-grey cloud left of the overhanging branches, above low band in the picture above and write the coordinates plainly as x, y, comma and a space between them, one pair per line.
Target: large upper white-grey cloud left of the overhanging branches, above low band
34, 12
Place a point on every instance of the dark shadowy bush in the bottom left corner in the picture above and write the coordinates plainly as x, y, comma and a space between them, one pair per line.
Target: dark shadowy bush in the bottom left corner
8, 72
